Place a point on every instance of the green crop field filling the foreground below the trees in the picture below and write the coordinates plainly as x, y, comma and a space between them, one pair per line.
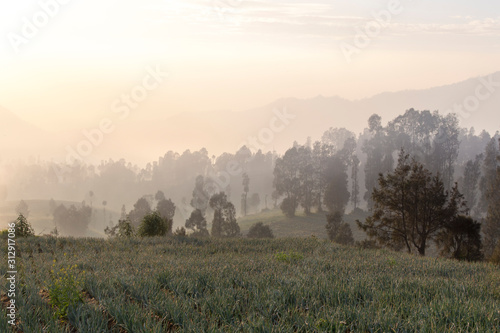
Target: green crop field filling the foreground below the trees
182, 284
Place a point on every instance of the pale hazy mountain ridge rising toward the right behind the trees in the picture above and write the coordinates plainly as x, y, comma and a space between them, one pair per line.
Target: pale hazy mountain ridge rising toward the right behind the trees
227, 130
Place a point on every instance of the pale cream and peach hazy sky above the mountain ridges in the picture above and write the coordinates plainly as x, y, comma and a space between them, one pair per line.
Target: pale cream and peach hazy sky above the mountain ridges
230, 54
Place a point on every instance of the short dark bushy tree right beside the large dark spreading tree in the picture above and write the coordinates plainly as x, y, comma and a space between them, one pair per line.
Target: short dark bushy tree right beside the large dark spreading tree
461, 239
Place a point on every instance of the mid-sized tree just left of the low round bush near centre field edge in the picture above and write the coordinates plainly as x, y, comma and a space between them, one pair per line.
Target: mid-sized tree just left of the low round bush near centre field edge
224, 223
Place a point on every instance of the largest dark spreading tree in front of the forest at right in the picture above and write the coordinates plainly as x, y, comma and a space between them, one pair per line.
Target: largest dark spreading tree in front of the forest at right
411, 207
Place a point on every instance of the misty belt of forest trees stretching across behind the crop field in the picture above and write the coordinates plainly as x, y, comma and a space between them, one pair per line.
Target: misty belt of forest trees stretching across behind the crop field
416, 152
